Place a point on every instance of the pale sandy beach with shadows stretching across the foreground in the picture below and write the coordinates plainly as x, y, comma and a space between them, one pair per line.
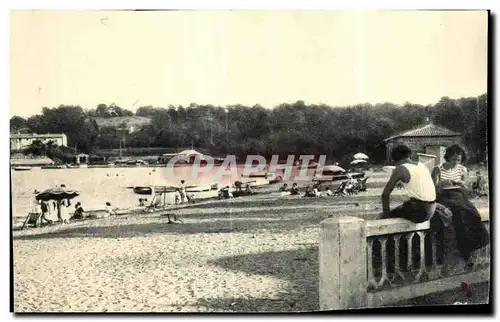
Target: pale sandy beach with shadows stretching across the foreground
251, 254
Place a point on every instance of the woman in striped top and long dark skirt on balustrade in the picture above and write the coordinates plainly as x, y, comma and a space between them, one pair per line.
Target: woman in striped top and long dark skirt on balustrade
450, 180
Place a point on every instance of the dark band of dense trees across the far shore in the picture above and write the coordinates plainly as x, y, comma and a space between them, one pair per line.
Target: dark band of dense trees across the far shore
296, 128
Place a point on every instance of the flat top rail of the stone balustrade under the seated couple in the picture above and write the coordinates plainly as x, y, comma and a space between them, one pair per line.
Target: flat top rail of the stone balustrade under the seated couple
399, 225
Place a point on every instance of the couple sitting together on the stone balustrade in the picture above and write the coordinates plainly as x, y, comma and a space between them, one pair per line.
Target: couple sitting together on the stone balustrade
440, 195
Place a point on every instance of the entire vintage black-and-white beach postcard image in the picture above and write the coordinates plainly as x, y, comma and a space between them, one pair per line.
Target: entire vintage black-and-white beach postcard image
248, 161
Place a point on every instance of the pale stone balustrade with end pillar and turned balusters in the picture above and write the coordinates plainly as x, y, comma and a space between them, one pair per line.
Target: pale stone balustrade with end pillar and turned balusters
371, 263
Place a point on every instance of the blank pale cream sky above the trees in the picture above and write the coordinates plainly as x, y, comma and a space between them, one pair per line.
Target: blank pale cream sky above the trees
166, 58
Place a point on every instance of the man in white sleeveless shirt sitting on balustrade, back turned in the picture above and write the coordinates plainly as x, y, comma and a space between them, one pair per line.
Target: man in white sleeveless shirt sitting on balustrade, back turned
417, 181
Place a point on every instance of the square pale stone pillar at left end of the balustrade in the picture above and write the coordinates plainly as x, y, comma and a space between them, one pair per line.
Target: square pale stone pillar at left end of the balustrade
342, 264
